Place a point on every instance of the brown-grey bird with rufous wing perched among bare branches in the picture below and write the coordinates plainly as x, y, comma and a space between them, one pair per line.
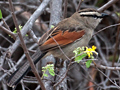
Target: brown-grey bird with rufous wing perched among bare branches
70, 33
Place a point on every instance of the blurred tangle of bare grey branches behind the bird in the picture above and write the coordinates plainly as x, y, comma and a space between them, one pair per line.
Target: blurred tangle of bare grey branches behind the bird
36, 17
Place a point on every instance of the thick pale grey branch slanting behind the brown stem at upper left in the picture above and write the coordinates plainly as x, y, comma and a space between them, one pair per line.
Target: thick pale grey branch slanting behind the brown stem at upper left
29, 25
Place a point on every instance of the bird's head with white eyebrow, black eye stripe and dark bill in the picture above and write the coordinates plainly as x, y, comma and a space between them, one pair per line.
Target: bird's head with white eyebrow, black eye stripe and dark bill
90, 17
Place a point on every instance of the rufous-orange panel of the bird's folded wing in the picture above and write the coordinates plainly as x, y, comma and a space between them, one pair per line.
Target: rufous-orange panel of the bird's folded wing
61, 38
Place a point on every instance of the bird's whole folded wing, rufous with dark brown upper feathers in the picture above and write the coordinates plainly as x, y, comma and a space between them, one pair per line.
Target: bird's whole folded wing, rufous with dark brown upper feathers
59, 36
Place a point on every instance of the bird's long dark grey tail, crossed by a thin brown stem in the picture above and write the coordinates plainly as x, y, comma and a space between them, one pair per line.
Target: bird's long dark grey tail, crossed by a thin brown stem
15, 78
